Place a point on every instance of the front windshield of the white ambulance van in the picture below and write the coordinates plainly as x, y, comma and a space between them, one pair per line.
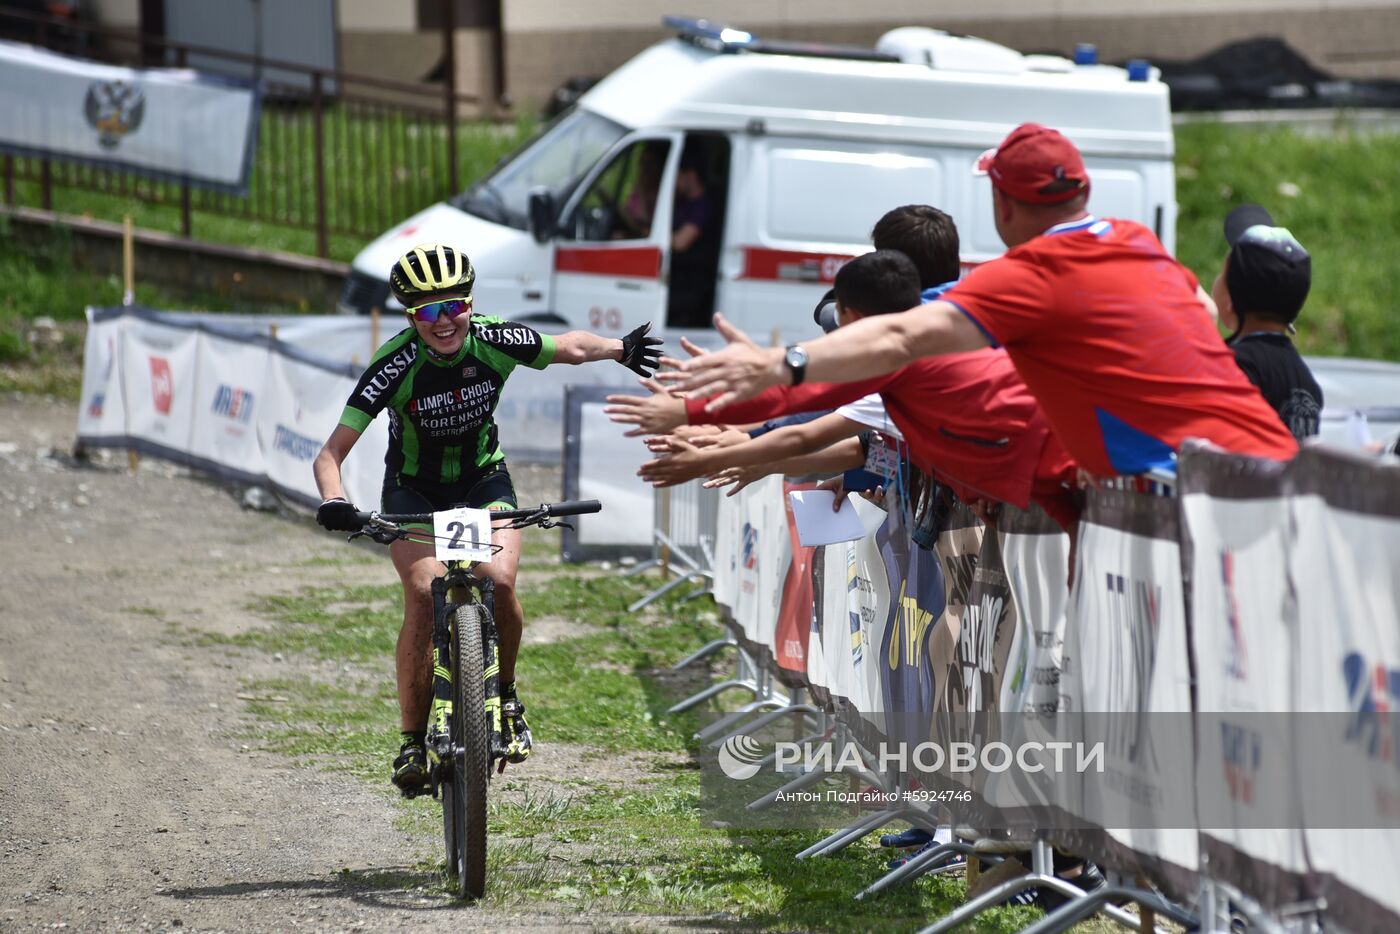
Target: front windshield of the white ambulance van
556, 159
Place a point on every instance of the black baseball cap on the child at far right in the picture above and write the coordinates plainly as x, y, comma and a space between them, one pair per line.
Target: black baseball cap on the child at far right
1268, 272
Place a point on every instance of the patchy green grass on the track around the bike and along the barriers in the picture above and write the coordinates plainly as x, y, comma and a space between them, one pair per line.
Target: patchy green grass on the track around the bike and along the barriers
587, 842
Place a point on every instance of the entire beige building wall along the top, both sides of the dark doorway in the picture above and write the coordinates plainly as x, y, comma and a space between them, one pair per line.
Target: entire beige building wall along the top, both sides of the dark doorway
548, 43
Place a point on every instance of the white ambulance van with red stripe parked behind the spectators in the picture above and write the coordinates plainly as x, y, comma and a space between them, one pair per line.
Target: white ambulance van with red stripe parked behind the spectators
780, 158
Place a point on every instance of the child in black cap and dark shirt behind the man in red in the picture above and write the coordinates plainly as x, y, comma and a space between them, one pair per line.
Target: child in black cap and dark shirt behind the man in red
1259, 295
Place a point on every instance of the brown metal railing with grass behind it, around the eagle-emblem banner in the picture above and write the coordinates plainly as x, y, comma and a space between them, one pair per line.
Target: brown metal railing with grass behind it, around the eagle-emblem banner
338, 153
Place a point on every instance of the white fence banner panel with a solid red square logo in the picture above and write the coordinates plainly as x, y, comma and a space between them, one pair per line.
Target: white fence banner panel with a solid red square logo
159, 384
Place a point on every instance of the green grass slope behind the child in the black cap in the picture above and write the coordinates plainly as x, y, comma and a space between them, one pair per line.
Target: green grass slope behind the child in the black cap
1336, 194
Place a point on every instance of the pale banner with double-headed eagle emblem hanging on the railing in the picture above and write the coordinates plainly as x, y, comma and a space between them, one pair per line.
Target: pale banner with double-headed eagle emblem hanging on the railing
160, 123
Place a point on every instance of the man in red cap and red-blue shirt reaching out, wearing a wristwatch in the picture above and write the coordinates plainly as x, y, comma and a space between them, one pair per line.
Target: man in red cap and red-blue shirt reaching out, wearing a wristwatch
1114, 337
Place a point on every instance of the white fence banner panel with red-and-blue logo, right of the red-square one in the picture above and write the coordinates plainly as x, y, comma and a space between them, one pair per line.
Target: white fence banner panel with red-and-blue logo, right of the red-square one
227, 396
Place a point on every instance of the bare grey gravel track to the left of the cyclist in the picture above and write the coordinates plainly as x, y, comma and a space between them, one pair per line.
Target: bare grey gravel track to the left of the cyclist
128, 799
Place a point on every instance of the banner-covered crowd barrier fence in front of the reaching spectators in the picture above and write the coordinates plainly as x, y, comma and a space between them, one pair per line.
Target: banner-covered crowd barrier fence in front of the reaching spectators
1242, 642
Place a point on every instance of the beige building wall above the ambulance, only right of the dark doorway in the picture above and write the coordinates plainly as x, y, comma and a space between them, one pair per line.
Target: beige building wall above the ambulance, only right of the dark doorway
1353, 39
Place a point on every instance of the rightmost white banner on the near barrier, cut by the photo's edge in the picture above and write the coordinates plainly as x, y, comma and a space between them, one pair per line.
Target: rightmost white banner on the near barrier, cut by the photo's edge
1346, 513
